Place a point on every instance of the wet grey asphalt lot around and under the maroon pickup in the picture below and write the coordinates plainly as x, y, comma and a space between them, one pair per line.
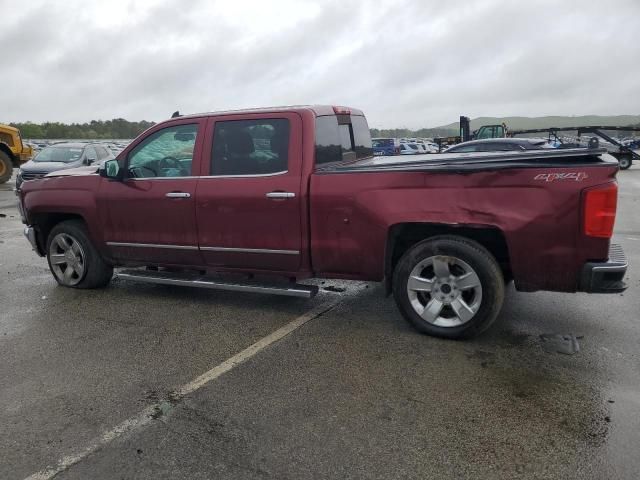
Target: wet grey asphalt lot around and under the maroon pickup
353, 393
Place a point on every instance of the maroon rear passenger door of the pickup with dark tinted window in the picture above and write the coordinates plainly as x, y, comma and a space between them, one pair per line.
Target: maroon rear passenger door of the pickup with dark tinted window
248, 204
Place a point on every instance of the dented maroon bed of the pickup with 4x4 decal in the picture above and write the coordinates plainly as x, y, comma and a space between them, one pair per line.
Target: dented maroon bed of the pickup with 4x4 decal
531, 200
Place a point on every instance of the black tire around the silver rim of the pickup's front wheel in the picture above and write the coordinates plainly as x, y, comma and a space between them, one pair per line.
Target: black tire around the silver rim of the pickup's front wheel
96, 273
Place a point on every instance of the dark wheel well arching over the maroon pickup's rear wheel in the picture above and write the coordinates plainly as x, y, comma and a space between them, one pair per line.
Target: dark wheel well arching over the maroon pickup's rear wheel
403, 236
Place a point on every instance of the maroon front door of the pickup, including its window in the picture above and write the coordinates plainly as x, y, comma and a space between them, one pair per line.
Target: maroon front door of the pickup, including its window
151, 214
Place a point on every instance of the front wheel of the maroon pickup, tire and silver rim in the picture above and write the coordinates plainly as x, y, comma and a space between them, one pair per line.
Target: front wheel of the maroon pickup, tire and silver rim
73, 260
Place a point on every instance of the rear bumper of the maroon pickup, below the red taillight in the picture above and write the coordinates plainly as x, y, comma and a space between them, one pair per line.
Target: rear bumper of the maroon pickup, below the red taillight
605, 277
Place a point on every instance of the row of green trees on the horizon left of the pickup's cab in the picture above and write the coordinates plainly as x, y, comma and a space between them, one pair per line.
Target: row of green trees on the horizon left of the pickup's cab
96, 129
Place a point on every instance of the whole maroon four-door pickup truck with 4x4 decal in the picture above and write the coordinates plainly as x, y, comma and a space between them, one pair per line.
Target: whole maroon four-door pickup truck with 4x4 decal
255, 200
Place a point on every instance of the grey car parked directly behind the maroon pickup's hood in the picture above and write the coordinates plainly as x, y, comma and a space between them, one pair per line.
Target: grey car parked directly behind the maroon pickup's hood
62, 156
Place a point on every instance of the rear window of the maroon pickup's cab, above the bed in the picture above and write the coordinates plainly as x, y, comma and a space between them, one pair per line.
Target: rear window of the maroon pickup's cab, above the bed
341, 138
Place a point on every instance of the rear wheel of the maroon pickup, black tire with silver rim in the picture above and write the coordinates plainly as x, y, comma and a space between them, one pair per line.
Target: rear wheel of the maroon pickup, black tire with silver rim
460, 255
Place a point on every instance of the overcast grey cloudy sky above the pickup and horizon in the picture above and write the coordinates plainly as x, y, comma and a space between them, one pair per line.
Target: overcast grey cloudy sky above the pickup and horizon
406, 63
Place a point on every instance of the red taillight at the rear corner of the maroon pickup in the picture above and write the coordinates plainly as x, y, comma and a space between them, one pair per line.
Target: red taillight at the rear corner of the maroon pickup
600, 210
